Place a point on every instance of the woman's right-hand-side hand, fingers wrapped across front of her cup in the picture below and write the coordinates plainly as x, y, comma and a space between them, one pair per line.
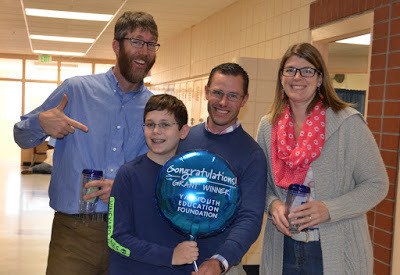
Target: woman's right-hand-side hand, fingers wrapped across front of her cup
310, 214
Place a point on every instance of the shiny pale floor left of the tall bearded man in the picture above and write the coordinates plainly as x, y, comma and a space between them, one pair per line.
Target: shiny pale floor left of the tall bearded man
25, 220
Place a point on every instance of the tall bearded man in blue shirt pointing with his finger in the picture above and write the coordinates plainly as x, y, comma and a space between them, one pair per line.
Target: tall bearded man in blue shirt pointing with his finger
97, 122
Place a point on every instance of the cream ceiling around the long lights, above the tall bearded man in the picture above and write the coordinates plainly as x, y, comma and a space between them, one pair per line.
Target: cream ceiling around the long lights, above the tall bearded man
172, 17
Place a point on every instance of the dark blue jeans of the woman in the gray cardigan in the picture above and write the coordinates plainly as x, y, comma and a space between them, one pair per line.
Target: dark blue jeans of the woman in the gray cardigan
302, 258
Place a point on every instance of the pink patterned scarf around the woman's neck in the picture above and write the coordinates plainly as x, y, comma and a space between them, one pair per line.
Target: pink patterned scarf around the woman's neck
291, 160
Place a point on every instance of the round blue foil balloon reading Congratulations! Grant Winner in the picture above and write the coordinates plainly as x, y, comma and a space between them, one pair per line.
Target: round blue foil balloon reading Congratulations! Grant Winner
198, 193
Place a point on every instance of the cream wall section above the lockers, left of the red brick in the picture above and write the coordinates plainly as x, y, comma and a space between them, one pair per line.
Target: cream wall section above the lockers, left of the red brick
248, 28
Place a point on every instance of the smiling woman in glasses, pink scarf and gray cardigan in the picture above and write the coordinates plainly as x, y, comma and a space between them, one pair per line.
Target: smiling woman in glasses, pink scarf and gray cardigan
312, 138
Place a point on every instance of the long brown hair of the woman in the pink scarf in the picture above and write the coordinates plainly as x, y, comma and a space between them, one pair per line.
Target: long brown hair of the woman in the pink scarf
312, 55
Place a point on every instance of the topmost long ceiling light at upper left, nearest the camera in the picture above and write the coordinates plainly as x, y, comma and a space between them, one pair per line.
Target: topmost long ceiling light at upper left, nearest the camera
68, 15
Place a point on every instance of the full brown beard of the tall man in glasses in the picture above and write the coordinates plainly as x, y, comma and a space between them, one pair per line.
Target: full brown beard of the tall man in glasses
128, 72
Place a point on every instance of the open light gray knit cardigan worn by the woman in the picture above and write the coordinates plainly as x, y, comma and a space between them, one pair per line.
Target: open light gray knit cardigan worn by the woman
350, 178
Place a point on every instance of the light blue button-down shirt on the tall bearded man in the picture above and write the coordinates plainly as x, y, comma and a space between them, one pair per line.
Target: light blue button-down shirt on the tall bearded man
115, 135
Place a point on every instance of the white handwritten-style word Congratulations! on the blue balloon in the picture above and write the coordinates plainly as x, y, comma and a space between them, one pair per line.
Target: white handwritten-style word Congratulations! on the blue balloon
186, 173
